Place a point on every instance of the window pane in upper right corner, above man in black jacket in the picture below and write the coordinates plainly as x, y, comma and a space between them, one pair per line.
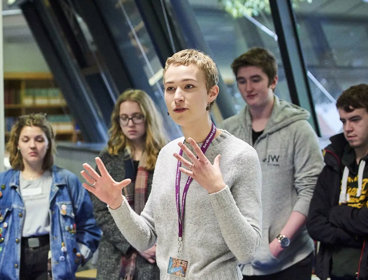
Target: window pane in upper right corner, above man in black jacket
334, 40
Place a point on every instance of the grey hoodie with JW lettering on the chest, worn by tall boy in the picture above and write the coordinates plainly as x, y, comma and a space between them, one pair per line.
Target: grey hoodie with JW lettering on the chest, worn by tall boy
291, 162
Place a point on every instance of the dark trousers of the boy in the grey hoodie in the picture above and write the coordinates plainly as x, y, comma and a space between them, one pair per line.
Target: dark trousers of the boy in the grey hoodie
299, 271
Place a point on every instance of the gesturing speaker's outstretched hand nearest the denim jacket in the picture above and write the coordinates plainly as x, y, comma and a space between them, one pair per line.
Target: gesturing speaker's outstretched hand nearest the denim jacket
103, 186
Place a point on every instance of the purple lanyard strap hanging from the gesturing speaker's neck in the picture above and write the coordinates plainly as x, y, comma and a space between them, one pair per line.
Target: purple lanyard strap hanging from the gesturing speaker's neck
204, 148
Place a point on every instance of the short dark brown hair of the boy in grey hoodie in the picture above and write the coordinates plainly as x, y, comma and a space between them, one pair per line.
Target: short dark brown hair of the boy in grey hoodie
259, 57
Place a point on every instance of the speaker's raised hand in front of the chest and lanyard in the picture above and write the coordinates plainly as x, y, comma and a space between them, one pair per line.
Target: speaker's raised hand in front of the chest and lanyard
198, 167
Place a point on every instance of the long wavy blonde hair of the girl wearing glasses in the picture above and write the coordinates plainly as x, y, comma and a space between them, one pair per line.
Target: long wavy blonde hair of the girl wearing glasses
155, 138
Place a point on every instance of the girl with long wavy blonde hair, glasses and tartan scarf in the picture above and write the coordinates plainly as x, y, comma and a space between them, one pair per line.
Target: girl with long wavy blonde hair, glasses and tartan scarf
136, 137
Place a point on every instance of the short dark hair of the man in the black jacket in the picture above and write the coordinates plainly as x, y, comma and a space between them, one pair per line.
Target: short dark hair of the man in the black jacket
354, 97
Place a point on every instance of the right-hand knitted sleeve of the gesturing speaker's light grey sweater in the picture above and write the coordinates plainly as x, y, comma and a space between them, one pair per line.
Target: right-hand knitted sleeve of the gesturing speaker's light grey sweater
238, 207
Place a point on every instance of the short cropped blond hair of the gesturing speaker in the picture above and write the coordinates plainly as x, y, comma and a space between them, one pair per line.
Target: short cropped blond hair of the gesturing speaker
203, 61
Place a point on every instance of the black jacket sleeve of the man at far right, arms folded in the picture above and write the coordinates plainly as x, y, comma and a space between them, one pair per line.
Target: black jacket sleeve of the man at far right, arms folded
319, 225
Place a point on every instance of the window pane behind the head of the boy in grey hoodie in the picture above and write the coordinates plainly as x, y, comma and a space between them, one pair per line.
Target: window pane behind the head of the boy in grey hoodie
228, 37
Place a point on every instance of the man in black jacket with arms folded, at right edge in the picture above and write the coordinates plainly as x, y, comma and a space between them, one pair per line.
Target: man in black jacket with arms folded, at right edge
338, 214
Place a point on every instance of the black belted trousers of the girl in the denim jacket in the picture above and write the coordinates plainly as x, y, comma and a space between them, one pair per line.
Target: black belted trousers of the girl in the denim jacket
34, 261
